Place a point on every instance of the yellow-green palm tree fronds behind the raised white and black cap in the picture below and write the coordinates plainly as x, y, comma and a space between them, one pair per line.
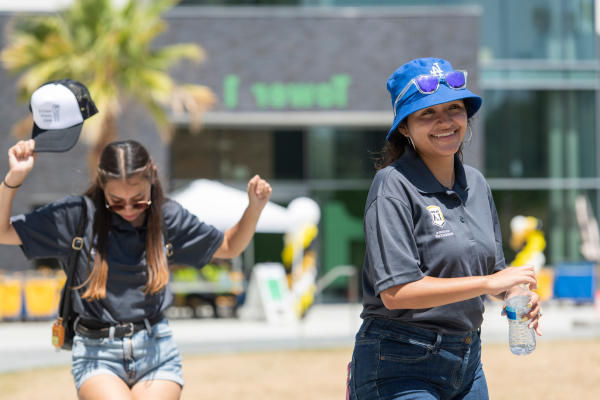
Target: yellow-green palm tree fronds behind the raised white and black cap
109, 50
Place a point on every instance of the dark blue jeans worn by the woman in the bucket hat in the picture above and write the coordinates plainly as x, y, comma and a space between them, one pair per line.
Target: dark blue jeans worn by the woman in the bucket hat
394, 360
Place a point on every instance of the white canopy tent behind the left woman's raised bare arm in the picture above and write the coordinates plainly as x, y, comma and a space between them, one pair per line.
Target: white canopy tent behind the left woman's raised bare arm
222, 206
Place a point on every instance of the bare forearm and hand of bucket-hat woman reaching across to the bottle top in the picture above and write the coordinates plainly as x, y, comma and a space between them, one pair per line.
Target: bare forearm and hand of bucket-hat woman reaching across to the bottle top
433, 292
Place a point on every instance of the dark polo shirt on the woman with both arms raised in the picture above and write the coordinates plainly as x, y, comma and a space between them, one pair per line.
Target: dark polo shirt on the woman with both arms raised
49, 231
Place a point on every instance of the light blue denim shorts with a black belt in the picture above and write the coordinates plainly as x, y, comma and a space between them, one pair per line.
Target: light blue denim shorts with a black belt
141, 357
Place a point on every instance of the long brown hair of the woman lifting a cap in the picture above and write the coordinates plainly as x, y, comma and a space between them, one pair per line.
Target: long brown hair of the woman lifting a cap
123, 161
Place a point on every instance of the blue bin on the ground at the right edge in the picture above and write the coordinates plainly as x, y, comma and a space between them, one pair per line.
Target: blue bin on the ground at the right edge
576, 281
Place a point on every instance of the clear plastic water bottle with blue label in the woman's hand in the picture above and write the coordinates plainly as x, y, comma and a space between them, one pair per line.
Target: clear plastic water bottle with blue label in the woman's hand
520, 337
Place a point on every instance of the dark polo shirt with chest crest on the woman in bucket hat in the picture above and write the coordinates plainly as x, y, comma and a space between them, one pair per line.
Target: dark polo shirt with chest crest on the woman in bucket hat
415, 227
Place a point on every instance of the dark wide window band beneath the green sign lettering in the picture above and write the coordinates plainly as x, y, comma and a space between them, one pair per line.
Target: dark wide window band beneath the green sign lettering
236, 154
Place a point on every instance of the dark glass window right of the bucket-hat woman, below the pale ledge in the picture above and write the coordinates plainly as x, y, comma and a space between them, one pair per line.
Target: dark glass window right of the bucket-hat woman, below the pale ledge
540, 134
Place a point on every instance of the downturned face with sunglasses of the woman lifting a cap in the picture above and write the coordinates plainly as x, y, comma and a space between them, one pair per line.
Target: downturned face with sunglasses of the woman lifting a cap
120, 193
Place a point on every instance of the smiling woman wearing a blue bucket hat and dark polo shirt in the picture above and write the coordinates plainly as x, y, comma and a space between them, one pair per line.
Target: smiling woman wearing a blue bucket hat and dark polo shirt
434, 248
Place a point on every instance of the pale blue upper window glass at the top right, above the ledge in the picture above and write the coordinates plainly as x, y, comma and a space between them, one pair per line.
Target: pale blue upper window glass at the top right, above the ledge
533, 29
